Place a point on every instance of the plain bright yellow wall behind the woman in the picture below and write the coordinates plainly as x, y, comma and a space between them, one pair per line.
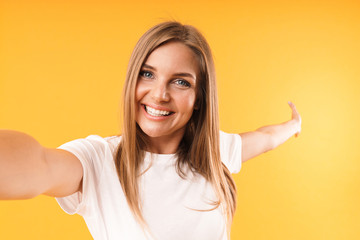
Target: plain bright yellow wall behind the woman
62, 66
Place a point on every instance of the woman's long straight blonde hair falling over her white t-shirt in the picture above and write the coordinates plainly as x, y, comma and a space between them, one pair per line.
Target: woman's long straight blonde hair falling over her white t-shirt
202, 129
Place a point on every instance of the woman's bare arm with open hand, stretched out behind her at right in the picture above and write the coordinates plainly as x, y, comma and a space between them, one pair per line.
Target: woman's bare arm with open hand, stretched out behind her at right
269, 137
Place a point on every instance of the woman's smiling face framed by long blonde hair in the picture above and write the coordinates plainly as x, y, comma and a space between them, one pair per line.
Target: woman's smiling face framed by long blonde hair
166, 91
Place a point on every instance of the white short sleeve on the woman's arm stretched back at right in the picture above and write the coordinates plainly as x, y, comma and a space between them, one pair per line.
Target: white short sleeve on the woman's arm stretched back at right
230, 151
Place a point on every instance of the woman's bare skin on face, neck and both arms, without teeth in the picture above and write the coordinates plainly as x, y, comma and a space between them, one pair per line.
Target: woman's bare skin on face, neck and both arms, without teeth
167, 82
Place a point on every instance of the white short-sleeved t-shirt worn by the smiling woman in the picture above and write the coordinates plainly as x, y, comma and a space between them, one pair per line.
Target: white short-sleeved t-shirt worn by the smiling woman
167, 199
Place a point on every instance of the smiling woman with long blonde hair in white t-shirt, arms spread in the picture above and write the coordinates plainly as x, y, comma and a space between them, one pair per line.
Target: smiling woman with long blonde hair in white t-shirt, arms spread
168, 176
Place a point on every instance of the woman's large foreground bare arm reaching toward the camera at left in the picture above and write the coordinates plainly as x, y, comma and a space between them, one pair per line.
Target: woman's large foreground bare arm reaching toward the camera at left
27, 169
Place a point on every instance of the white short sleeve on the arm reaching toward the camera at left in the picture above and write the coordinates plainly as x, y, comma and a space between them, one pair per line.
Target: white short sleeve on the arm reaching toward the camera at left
92, 152
